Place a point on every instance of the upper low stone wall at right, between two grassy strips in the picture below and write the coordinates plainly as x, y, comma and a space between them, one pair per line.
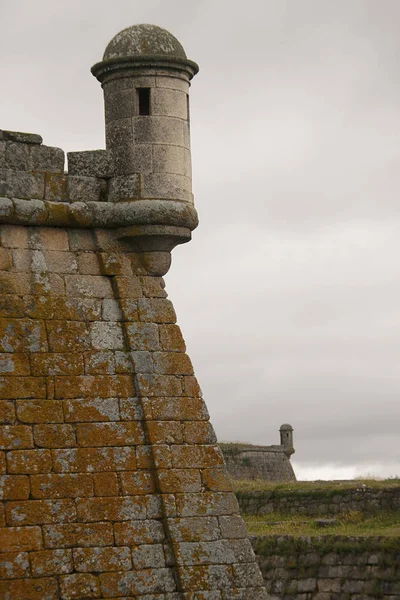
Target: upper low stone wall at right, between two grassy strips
320, 502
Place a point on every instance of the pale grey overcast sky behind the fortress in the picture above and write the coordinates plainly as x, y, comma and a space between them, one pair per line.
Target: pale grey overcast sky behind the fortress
289, 294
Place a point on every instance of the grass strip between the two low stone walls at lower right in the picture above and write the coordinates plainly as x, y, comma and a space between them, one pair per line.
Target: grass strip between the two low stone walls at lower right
353, 523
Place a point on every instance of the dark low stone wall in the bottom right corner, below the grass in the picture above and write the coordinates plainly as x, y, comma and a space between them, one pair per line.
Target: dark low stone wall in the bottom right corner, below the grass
329, 567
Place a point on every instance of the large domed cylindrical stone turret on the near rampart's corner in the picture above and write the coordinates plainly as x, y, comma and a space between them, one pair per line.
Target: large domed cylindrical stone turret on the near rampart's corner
146, 75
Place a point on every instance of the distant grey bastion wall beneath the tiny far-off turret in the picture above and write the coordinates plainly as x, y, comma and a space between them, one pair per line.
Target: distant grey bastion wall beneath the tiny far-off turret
270, 463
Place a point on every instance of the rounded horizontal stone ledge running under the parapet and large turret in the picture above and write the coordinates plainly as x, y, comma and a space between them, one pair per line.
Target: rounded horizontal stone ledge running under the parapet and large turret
98, 214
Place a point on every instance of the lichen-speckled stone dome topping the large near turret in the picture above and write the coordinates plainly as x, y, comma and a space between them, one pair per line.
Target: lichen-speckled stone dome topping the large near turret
144, 40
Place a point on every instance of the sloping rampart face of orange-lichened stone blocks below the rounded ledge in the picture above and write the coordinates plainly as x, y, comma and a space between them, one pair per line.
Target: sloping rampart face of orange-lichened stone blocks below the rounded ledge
112, 483
